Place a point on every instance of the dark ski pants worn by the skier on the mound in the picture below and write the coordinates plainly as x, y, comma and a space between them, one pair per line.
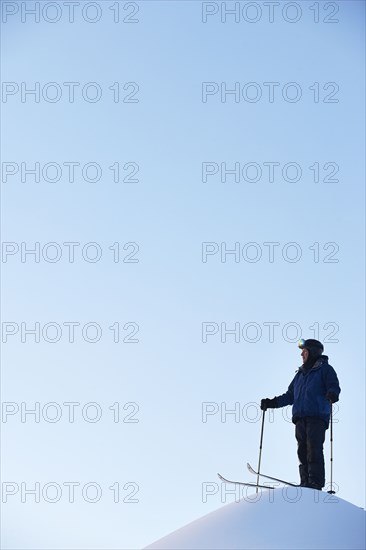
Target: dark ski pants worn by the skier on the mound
310, 435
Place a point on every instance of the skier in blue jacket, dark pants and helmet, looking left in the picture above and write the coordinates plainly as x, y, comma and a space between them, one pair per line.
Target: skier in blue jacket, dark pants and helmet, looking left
311, 393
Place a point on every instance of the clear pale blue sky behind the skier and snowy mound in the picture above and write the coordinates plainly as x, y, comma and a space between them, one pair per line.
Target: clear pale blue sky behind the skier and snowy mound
139, 112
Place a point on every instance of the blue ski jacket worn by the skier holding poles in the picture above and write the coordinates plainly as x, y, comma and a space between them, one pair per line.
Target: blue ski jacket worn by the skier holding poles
308, 389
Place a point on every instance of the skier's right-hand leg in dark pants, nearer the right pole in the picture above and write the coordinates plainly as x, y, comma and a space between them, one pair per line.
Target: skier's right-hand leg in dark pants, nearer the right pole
316, 428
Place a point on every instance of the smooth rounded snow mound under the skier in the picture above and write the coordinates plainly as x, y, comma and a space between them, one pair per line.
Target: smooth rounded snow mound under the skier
287, 518
